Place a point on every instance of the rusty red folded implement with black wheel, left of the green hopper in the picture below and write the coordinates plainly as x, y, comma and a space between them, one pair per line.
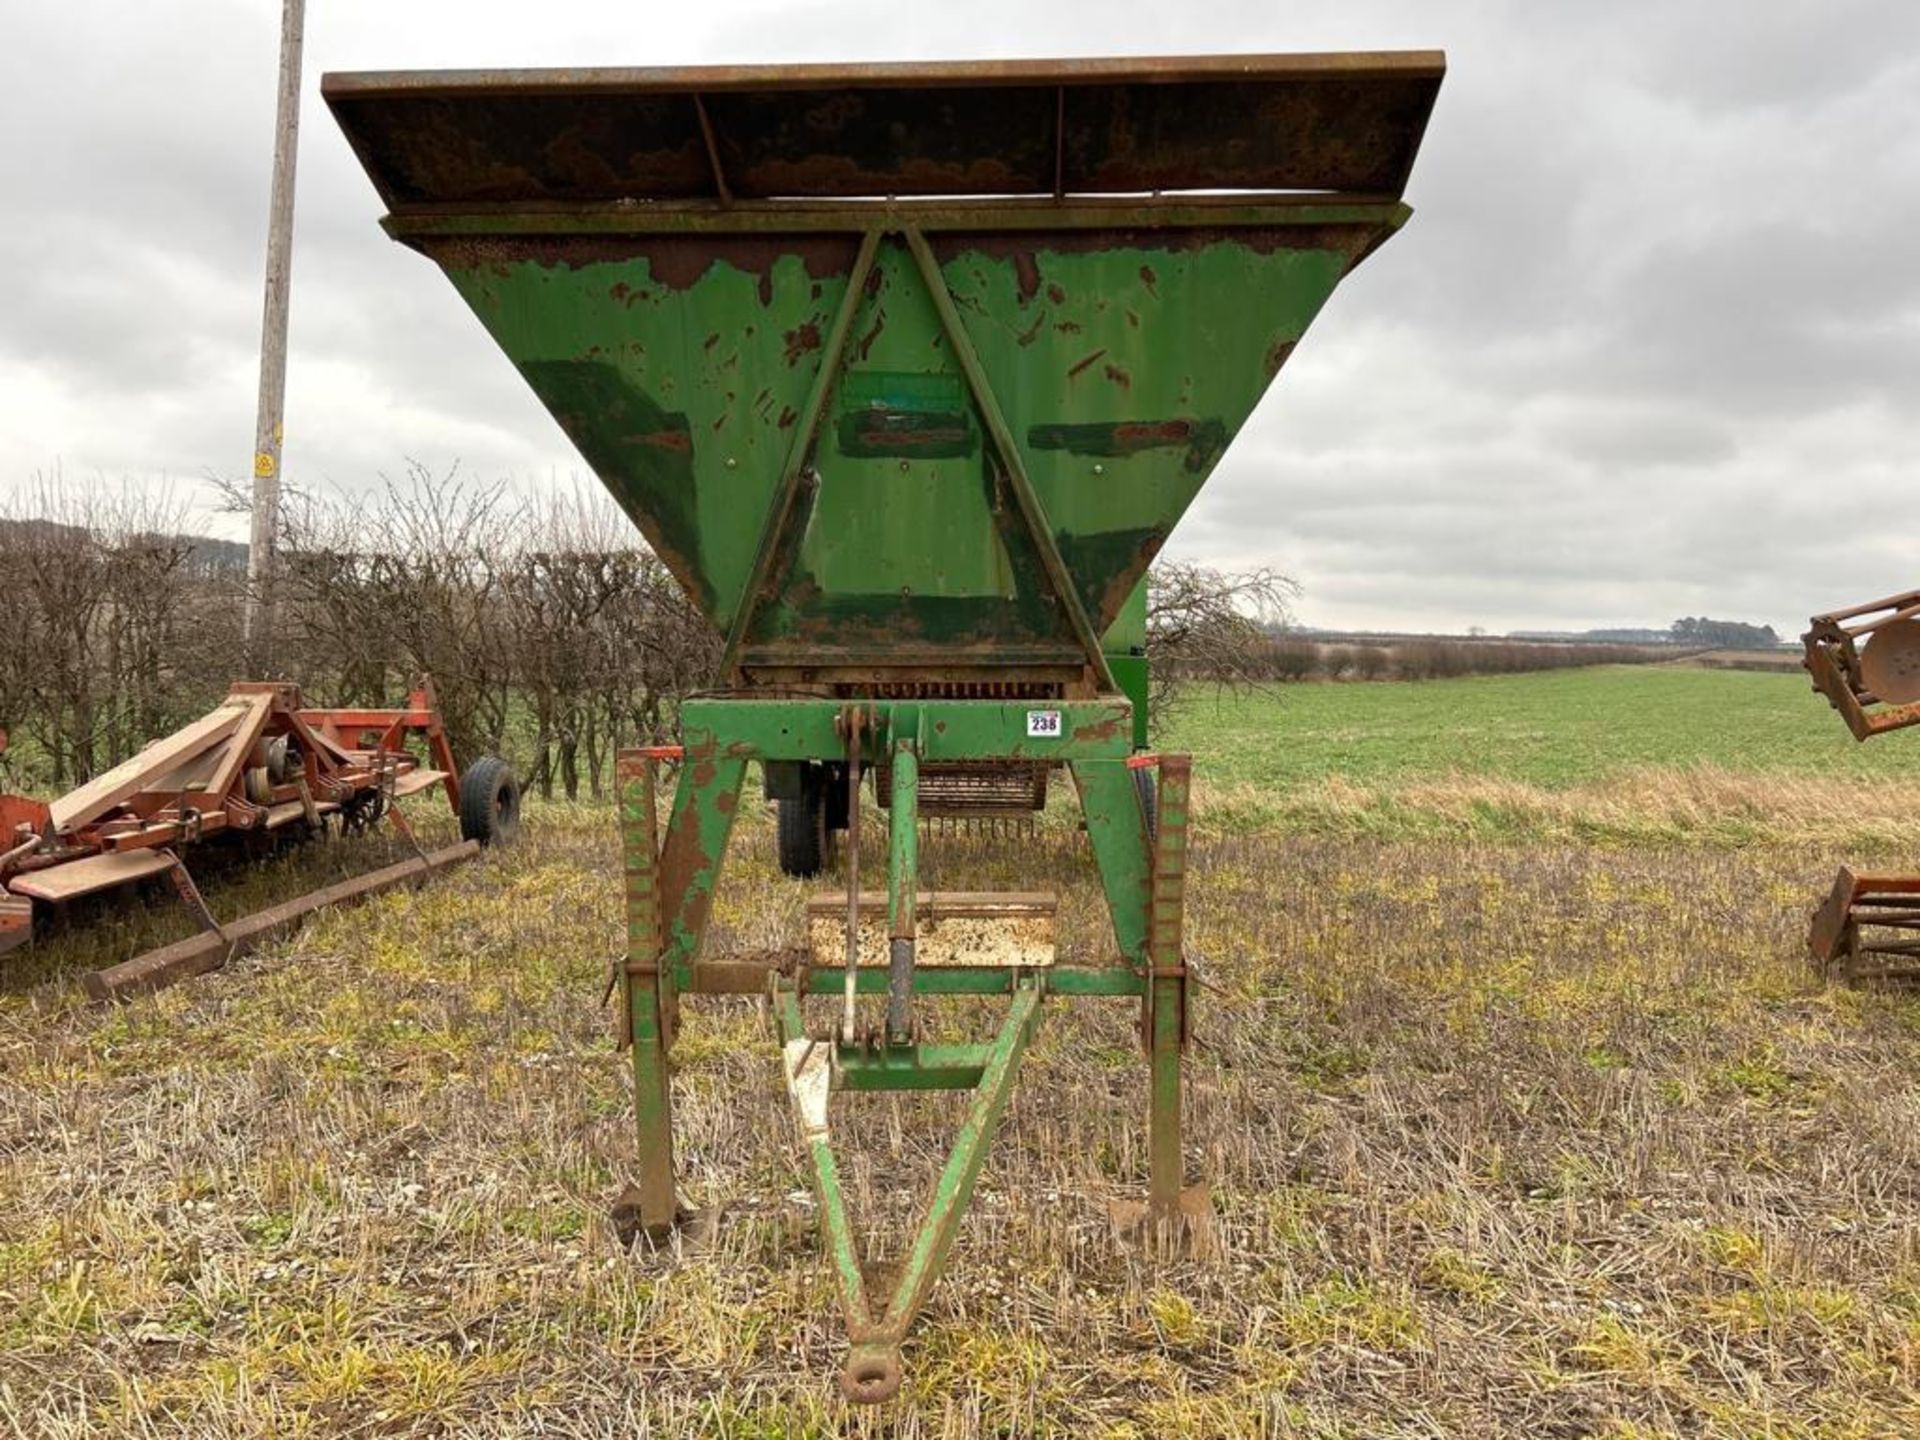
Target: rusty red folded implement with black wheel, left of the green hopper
254, 773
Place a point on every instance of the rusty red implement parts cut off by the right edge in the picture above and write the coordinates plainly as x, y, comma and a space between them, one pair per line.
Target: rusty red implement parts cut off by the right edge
1867, 663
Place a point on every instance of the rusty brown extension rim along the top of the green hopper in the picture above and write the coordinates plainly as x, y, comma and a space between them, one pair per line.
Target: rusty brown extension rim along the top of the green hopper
1044, 128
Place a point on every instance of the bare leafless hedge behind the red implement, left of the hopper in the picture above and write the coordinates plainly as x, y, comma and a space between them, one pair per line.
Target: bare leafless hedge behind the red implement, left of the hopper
552, 635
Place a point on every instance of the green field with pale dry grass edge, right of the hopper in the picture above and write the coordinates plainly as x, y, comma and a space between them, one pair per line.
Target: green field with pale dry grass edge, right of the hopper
1637, 756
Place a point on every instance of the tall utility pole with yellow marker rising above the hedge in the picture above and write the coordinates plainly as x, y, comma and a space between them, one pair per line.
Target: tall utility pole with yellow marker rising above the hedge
260, 562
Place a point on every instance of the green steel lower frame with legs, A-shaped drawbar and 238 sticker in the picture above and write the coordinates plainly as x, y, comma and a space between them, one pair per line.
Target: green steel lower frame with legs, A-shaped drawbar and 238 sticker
671, 880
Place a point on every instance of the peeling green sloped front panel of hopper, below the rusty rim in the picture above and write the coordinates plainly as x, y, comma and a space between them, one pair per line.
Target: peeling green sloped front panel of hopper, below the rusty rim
1020, 416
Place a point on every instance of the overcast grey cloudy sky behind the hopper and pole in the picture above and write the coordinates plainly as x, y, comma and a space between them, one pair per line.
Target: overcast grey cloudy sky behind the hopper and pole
1648, 348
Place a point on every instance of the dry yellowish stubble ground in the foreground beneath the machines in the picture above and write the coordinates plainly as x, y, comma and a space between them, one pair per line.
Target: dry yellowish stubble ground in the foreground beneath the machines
1539, 1138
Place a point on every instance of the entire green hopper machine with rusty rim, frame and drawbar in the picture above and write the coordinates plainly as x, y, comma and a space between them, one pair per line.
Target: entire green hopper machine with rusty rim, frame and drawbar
907, 373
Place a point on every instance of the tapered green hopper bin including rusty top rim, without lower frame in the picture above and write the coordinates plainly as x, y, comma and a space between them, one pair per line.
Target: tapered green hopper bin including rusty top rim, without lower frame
901, 370
